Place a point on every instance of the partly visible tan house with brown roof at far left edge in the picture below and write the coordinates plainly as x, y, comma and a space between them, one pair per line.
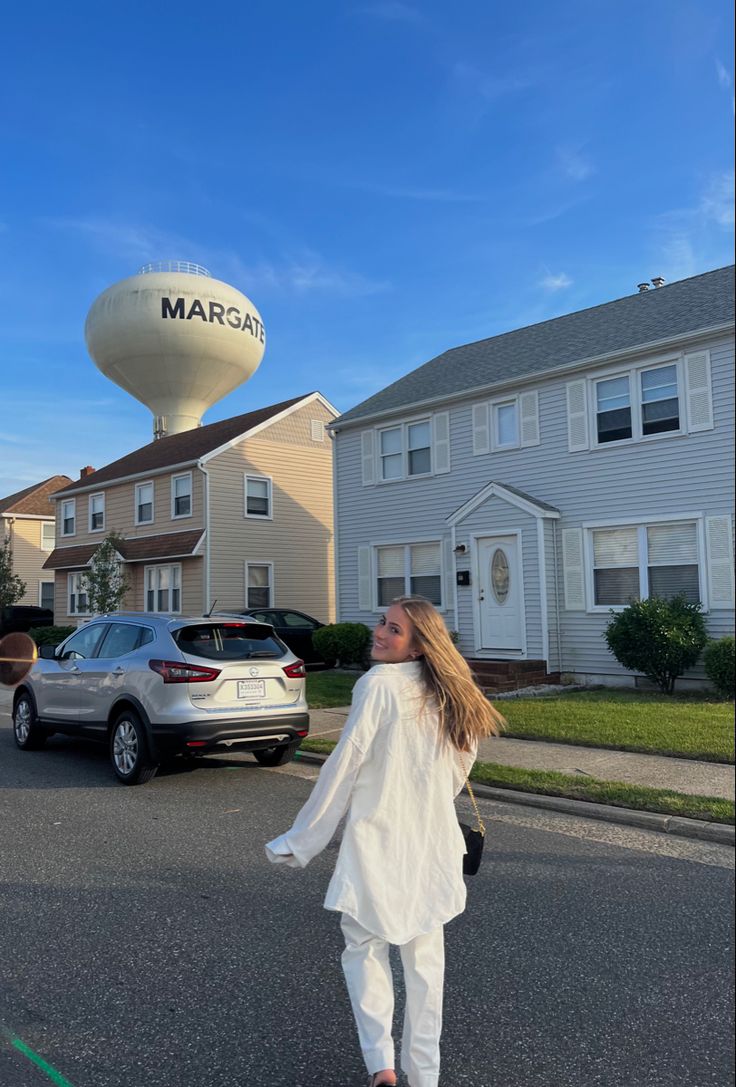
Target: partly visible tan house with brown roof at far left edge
28, 521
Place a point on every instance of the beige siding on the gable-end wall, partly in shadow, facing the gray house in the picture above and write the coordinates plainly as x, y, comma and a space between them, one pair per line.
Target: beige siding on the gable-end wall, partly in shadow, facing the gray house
298, 540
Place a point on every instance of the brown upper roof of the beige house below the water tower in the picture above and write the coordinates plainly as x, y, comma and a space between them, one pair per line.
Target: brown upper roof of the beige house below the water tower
184, 448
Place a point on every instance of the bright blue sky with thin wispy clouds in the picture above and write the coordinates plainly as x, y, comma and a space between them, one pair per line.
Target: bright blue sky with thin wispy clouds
384, 181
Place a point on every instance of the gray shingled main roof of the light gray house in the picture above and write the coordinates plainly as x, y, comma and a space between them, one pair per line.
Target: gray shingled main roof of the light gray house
678, 309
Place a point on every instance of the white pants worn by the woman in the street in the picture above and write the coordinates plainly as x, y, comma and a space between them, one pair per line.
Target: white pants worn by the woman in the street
368, 974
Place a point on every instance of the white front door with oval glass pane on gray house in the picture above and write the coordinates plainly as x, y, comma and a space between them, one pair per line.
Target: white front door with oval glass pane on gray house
500, 593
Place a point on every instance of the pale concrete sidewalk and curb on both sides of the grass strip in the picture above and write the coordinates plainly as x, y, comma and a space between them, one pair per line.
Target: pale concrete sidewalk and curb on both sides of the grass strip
659, 772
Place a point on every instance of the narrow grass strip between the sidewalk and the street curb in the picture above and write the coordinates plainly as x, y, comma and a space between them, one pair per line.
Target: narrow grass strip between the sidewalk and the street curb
618, 794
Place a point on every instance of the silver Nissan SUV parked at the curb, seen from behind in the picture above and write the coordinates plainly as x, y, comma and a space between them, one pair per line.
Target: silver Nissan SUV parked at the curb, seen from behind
151, 685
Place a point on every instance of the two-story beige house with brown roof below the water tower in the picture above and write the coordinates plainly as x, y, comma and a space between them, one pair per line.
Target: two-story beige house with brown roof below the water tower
239, 513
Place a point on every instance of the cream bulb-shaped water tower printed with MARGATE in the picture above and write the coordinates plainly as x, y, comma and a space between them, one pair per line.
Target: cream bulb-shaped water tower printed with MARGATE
177, 340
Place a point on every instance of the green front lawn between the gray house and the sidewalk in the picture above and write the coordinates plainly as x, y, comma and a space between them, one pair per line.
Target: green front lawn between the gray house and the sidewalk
689, 727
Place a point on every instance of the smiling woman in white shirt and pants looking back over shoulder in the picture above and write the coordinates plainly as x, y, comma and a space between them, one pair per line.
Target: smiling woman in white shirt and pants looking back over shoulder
404, 755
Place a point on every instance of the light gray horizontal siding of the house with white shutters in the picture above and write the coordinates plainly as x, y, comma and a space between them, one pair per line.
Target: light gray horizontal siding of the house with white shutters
690, 476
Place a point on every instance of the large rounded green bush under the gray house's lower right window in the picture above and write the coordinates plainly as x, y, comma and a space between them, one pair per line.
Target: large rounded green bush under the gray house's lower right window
659, 639
